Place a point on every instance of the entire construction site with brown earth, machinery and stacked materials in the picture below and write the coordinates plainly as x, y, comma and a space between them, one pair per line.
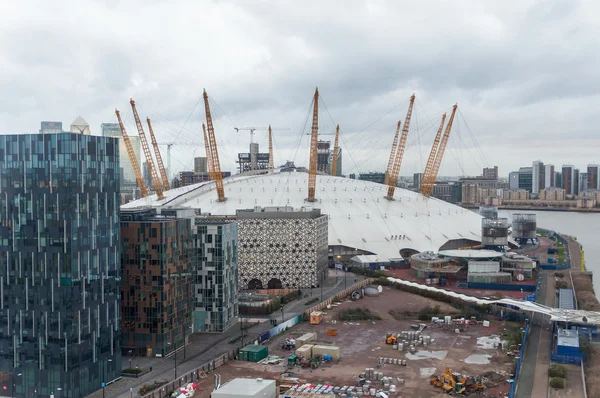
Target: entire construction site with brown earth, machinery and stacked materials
391, 351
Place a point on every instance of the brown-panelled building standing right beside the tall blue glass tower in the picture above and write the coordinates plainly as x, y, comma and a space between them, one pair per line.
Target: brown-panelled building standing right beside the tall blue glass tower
157, 284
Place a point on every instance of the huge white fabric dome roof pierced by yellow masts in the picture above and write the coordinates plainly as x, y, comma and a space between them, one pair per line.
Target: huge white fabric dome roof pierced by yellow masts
360, 217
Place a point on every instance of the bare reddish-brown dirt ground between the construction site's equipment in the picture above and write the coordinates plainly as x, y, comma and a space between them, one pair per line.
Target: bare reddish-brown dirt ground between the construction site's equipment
363, 343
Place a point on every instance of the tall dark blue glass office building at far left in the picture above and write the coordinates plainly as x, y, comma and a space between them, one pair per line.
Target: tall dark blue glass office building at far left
59, 264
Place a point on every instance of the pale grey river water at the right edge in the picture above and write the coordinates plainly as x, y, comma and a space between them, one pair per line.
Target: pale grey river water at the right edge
585, 226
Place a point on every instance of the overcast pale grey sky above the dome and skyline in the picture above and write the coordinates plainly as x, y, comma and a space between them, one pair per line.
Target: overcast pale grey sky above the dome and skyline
525, 74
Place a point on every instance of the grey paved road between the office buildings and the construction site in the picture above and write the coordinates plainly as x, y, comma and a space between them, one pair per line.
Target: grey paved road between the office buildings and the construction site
204, 347
